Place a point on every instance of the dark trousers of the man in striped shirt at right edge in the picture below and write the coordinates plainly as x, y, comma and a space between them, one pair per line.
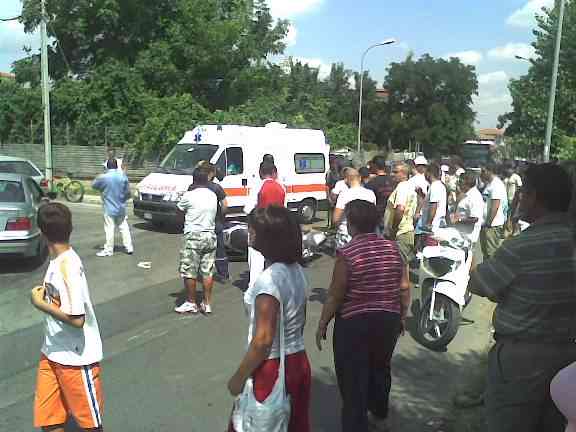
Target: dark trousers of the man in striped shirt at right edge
518, 386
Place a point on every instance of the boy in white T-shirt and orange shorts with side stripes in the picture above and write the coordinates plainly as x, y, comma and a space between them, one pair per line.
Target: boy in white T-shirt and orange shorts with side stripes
68, 381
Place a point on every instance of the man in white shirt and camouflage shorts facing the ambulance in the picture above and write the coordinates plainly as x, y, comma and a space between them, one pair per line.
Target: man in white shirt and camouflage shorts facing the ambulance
198, 255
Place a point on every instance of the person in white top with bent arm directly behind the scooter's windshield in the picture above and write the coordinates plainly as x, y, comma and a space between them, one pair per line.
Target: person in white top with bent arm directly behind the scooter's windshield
470, 210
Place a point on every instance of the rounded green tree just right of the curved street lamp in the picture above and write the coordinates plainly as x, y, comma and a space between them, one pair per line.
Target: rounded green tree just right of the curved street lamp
431, 102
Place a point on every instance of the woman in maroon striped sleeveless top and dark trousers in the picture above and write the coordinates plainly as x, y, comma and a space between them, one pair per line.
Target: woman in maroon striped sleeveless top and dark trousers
369, 298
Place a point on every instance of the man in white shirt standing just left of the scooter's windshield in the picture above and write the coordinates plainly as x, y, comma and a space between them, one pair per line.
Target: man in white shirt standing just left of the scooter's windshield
434, 205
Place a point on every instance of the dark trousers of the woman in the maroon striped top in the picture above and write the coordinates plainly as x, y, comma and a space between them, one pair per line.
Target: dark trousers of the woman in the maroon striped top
363, 348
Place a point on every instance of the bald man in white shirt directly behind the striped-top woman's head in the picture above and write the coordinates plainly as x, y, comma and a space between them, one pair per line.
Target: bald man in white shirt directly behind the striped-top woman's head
354, 192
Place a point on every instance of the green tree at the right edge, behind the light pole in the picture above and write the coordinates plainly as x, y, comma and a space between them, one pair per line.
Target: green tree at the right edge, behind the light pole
530, 93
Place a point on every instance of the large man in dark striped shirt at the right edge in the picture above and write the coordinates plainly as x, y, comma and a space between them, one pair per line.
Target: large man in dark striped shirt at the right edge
532, 278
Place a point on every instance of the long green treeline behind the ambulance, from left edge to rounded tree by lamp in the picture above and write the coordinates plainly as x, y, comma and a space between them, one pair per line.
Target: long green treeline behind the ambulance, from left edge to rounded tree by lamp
141, 72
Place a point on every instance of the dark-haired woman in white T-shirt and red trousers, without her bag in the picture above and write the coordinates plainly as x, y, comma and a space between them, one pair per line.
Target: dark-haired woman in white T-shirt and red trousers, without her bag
275, 233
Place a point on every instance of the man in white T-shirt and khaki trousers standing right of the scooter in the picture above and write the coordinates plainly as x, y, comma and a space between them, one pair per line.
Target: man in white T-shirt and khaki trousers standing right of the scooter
495, 215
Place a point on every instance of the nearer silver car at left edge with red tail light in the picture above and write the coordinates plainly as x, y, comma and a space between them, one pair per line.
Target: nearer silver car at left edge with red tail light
20, 199
